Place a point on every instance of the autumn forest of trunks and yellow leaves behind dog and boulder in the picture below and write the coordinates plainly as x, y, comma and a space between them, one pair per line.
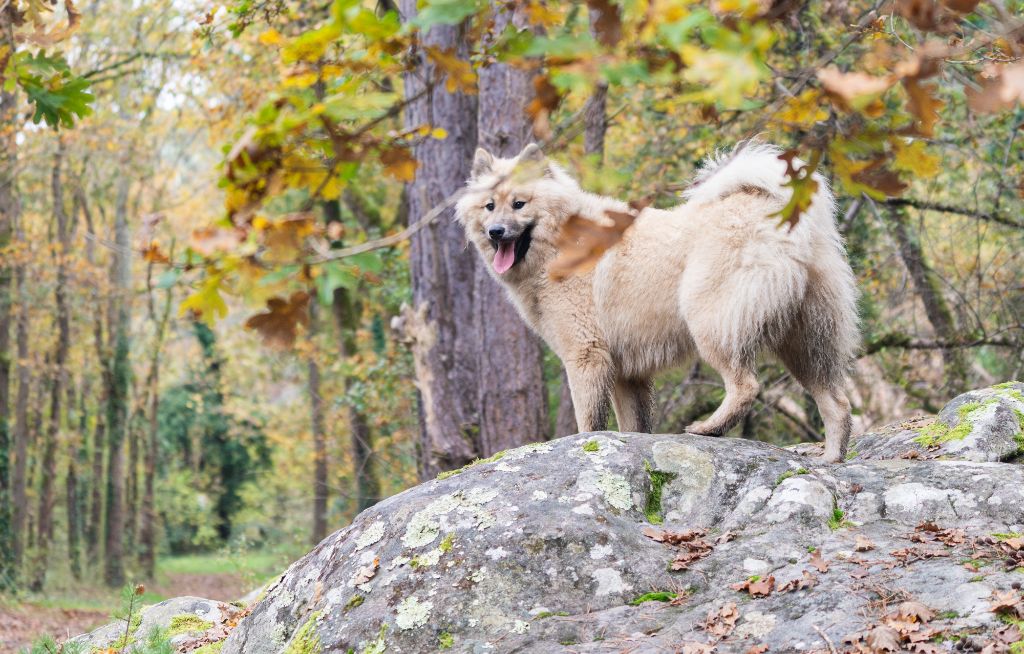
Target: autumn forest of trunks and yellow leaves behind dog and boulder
235, 311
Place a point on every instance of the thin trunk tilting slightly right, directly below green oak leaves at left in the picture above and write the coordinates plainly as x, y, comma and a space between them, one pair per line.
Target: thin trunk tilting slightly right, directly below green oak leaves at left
50, 447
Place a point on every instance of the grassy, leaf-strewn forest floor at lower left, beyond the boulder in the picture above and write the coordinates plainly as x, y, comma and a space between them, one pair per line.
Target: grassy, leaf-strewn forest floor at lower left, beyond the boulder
71, 608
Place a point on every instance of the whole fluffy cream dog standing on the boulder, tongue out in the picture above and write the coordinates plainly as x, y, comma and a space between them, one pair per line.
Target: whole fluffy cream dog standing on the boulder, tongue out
716, 278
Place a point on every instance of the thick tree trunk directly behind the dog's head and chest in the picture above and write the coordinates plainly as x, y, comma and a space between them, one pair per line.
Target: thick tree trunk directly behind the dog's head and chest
511, 391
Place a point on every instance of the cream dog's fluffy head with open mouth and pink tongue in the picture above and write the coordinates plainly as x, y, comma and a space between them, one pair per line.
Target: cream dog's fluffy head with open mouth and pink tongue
514, 210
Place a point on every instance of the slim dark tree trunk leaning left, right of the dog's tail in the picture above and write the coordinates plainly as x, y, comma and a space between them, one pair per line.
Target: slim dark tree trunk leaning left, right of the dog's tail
928, 286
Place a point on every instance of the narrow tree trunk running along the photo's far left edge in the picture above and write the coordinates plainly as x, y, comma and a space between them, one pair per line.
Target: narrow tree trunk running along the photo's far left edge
9, 215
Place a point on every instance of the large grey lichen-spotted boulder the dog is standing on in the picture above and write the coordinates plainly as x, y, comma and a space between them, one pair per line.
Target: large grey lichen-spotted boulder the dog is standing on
610, 543
